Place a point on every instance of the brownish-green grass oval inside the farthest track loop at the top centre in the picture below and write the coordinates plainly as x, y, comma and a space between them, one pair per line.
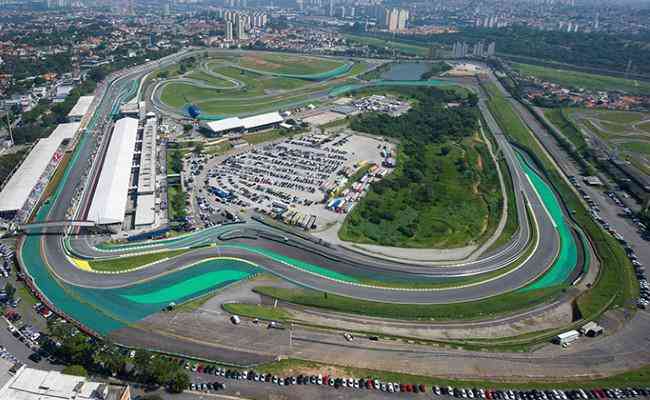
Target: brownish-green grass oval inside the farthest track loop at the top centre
288, 64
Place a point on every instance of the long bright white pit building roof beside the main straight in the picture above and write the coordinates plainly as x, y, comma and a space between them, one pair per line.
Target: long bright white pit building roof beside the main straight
109, 202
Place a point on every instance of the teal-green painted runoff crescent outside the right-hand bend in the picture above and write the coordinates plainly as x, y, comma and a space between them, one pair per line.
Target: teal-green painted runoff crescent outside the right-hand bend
567, 258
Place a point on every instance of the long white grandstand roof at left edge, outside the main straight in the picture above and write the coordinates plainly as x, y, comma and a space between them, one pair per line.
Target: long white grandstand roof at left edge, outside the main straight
17, 190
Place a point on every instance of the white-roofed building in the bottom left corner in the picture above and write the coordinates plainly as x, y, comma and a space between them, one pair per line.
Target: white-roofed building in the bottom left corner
33, 384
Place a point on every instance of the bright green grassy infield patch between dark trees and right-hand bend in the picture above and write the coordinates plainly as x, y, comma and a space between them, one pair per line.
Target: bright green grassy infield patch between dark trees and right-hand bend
465, 202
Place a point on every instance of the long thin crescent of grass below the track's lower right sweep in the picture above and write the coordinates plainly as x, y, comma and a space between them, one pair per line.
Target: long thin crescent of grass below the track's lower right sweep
505, 303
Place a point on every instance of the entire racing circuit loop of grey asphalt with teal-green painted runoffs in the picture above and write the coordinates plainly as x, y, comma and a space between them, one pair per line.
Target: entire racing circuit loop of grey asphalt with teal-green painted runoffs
546, 251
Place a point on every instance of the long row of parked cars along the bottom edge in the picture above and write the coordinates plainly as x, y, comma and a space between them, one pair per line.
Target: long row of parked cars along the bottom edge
397, 387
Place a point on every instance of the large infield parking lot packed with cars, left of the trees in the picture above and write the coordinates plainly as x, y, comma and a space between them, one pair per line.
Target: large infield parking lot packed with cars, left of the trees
308, 180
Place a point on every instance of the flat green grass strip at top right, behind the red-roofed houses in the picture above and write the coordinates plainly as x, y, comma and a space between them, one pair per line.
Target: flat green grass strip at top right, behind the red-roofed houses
582, 80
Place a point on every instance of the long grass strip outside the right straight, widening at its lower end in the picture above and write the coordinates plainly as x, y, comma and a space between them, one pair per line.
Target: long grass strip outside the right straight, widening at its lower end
616, 284
